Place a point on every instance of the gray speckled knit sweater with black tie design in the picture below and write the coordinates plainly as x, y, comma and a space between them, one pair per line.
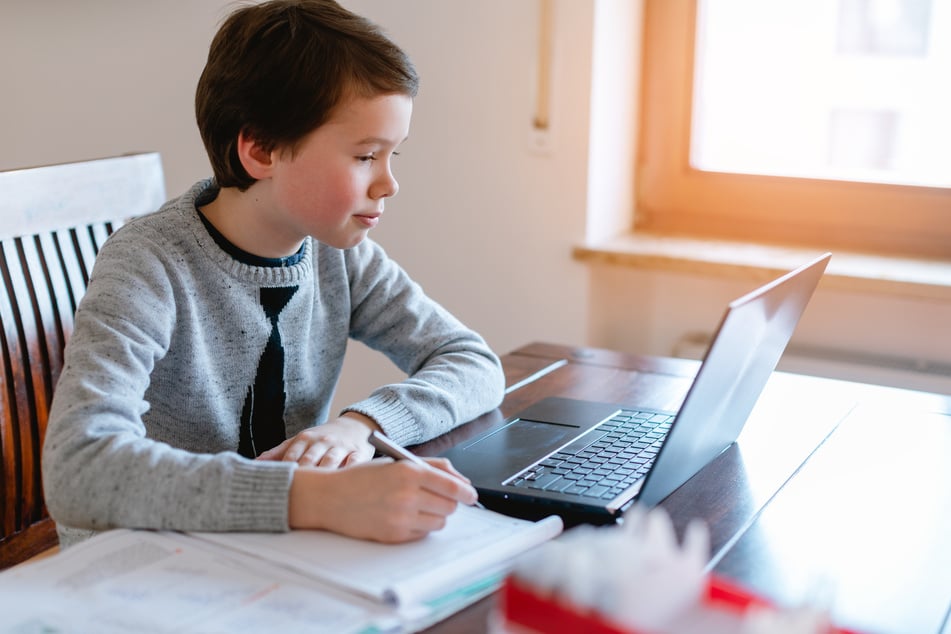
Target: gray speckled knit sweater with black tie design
144, 425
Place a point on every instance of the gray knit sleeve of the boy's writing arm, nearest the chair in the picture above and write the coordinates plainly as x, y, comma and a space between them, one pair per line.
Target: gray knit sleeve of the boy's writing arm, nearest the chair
100, 470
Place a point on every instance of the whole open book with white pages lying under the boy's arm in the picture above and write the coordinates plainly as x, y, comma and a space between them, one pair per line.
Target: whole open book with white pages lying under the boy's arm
313, 581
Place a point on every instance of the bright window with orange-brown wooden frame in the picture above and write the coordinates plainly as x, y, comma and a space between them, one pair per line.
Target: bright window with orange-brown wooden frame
820, 123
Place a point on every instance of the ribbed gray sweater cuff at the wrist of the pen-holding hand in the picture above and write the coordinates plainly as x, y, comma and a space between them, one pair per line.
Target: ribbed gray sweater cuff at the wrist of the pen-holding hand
258, 496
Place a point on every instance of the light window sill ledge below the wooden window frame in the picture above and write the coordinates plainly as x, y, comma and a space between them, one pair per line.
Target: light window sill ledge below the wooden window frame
855, 272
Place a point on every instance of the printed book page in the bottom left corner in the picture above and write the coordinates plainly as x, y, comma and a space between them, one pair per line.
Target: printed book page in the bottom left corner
146, 582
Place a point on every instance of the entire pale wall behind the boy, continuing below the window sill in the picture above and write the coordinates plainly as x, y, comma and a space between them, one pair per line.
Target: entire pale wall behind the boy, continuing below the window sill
482, 221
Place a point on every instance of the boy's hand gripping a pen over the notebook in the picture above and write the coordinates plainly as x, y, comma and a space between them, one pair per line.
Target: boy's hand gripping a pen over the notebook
381, 500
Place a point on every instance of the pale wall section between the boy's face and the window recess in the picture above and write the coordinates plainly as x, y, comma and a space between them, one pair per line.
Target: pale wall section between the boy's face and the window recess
485, 224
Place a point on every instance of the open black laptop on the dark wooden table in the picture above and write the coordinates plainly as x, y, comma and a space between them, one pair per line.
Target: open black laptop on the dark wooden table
589, 461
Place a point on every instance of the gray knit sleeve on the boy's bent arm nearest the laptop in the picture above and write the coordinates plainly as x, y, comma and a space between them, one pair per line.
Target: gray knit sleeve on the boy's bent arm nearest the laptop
452, 374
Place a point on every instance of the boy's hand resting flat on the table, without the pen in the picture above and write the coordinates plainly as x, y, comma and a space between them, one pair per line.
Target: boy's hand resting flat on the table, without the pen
336, 443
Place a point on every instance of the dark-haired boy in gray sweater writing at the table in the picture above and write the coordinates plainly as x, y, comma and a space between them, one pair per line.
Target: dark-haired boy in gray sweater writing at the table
211, 337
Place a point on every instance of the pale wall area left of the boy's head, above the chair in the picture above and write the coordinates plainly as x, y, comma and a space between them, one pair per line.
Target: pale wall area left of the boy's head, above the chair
102, 77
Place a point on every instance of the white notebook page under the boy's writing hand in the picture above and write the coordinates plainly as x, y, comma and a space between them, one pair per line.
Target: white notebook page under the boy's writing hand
474, 545
